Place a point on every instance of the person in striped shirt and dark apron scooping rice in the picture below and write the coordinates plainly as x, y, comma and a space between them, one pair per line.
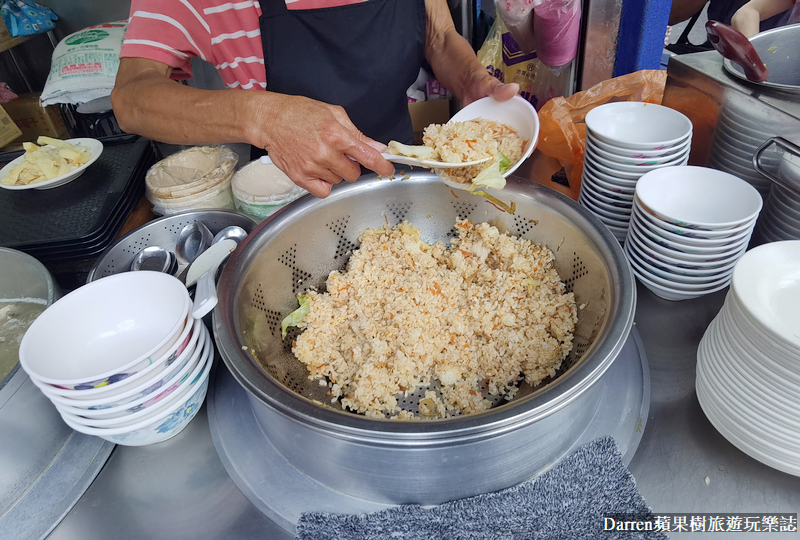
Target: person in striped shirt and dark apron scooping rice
319, 84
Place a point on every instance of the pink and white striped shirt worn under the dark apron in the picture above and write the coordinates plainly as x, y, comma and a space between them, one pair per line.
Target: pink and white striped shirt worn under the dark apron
224, 33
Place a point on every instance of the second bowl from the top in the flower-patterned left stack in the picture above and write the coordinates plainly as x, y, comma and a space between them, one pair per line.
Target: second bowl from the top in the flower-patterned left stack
143, 383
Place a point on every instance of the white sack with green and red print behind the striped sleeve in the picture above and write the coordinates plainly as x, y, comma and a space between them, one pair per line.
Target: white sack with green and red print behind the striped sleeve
84, 65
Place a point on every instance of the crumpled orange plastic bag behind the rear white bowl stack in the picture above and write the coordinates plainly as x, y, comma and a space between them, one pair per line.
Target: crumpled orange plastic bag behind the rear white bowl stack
562, 134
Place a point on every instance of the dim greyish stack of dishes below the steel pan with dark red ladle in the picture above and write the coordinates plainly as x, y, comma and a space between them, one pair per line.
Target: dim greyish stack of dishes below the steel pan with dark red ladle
736, 138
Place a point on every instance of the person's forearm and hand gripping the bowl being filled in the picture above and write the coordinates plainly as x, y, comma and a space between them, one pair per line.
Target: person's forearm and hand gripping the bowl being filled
454, 62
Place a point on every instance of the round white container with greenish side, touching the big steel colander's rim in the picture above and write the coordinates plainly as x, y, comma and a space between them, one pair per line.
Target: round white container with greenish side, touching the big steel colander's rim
260, 188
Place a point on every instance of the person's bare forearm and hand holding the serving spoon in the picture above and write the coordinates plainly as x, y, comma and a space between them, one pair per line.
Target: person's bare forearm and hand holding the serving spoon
314, 143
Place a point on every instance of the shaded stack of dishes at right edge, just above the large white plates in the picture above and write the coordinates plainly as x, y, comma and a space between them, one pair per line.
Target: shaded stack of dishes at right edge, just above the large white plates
780, 219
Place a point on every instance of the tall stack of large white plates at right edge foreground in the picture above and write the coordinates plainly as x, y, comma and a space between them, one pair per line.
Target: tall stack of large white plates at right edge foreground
748, 362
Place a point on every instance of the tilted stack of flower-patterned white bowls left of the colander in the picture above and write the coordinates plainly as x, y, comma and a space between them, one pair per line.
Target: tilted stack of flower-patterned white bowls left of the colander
122, 358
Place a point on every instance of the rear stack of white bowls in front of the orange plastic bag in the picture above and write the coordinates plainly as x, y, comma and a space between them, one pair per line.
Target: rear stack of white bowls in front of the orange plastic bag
623, 142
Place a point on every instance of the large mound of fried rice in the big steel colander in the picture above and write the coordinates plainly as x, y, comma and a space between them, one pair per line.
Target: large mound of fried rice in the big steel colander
465, 322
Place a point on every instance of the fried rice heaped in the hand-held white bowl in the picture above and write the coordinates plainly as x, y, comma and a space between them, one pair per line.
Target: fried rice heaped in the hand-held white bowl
457, 142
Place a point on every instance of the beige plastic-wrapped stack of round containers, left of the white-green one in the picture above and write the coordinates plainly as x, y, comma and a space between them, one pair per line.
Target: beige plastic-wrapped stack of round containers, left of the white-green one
198, 177
